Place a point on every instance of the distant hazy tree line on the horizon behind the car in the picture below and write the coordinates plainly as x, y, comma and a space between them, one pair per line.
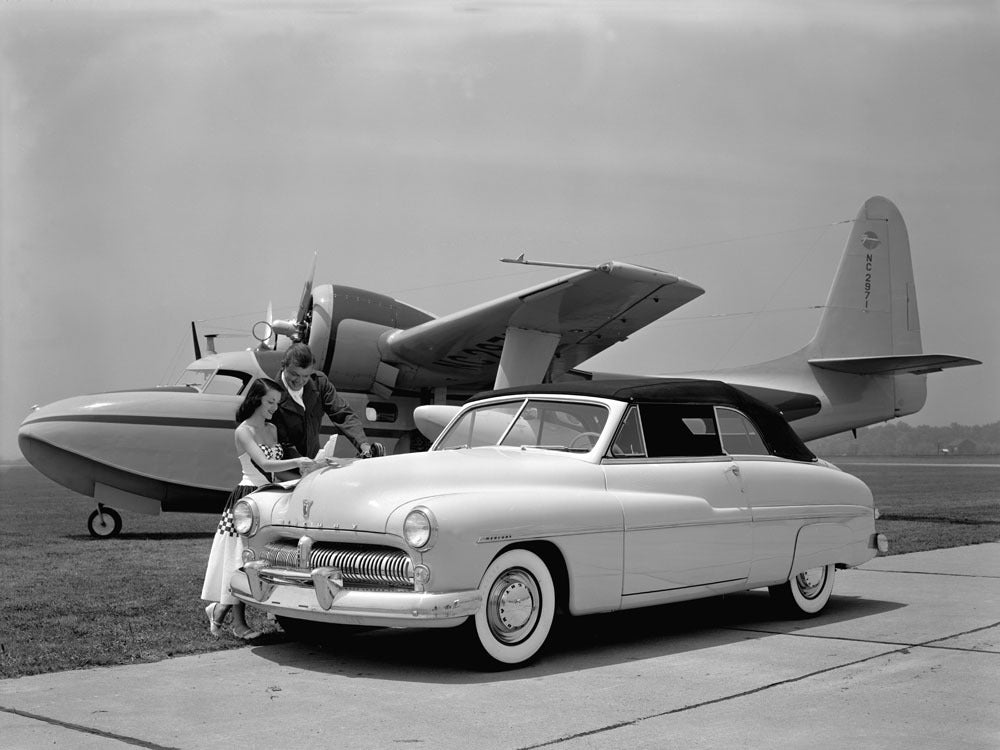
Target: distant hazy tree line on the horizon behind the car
901, 439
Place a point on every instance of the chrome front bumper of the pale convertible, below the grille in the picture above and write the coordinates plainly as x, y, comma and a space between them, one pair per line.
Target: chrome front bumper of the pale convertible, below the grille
319, 595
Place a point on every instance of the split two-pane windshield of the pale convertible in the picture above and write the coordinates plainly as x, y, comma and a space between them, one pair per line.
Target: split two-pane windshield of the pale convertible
551, 425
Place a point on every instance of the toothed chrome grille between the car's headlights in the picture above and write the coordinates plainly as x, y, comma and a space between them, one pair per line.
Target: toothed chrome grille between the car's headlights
361, 566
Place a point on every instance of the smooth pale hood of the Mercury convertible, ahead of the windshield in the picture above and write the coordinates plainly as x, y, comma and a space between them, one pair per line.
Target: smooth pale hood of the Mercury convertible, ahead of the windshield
362, 495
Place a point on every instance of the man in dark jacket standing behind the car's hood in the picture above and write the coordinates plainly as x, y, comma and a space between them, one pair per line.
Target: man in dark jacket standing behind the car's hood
308, 396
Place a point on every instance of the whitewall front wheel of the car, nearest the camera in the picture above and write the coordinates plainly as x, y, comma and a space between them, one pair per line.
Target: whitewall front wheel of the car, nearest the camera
518, 606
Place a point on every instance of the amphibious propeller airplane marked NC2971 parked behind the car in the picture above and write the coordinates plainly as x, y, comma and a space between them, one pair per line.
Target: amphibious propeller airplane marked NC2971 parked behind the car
171, 448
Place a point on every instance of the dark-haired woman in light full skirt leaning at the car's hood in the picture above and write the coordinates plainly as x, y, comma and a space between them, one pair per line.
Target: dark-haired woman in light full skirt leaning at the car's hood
260, 455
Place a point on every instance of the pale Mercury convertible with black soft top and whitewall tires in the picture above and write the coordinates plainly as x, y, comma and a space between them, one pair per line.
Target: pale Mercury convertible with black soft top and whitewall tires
576, 498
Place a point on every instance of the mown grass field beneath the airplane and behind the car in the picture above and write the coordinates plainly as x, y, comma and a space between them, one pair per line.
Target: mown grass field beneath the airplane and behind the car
69, 601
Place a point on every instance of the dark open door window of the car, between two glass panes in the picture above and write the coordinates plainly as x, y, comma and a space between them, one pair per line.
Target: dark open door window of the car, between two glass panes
678, 430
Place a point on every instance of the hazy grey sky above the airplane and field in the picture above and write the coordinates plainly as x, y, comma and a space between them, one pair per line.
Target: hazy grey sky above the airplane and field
168, 162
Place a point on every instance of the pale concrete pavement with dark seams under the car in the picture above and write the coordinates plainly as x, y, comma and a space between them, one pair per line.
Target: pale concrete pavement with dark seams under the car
906, 655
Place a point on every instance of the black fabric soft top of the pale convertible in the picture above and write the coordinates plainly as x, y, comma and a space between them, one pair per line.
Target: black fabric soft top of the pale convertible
777, 434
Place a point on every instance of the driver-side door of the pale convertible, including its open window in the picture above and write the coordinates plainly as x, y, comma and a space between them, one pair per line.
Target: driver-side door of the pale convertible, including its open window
686, 523
